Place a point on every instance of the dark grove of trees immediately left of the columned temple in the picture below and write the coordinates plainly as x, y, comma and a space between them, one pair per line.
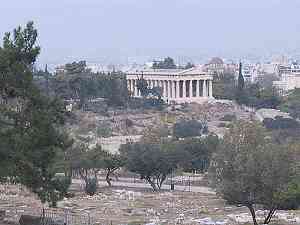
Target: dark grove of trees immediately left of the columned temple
81, 84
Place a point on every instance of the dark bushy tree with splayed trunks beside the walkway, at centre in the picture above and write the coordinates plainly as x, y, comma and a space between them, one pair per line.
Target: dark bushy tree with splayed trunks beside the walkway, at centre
153, 158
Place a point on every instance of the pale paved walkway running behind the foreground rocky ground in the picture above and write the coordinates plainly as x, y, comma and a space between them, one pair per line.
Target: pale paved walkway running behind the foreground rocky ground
195, 189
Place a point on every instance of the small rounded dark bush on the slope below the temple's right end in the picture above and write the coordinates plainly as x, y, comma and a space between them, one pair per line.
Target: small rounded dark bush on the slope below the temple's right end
187, 128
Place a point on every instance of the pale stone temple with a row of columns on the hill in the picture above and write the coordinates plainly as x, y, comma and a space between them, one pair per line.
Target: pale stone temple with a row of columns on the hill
178, 86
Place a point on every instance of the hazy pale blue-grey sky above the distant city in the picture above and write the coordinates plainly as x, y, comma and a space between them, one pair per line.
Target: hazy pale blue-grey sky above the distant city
96, 29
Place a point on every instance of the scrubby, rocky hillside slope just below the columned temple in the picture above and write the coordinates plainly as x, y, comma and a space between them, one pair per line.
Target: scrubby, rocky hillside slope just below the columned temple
116, 126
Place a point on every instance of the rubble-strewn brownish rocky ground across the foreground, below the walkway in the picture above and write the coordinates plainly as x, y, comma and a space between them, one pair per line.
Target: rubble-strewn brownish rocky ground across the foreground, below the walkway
136, 207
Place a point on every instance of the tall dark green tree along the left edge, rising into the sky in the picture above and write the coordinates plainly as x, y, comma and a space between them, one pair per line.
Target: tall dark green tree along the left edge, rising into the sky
29, 121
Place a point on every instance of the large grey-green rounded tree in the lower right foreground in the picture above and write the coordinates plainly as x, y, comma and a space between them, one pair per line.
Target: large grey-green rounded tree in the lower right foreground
249, 169
